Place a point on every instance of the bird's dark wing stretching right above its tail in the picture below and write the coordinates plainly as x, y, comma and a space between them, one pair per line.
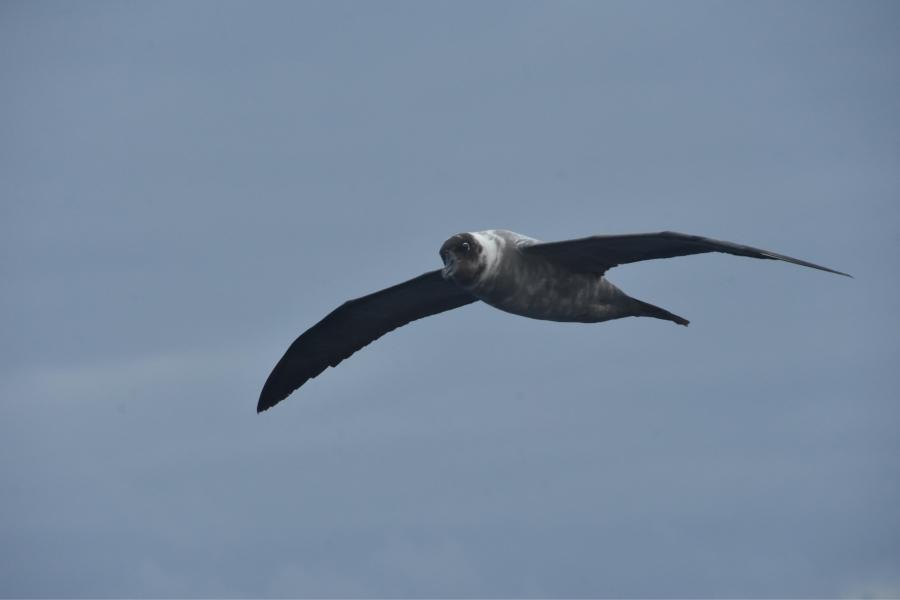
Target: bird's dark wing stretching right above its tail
600, 253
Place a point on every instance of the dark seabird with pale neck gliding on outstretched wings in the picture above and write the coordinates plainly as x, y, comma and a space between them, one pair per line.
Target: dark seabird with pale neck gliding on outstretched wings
556, 281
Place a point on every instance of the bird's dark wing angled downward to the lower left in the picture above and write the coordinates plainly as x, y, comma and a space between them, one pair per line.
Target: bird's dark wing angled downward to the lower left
355, 324
